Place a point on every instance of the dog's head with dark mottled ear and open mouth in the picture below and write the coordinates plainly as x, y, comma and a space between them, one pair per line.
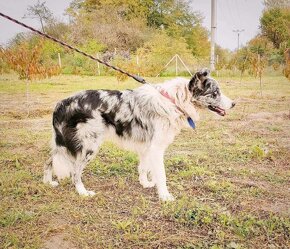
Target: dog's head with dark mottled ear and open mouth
206, 93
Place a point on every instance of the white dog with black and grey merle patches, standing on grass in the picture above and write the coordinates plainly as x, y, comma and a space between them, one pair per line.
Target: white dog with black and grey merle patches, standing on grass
144, 120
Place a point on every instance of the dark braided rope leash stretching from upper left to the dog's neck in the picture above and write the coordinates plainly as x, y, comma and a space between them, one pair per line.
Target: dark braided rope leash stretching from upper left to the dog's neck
135, 77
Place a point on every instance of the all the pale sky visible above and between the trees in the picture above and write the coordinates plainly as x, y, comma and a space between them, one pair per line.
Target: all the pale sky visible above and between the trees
231, 15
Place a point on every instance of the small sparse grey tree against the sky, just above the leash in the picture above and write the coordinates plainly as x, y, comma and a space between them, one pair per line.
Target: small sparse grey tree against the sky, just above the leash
39, 11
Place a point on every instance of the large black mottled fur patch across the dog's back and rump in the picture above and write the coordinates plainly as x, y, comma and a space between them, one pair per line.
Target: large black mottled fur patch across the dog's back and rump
78, 109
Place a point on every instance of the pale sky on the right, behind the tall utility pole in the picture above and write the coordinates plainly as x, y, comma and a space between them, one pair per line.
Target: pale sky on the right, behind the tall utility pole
232, 15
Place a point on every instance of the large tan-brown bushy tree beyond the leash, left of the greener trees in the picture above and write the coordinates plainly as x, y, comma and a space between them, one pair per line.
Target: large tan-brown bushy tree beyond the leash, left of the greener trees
113, 31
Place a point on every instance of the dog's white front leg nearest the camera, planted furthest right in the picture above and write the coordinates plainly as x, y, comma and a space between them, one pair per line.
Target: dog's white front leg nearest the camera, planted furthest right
155, 160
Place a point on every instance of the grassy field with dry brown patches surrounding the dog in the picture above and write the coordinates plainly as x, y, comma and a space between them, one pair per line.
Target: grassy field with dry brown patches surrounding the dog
230, 176
